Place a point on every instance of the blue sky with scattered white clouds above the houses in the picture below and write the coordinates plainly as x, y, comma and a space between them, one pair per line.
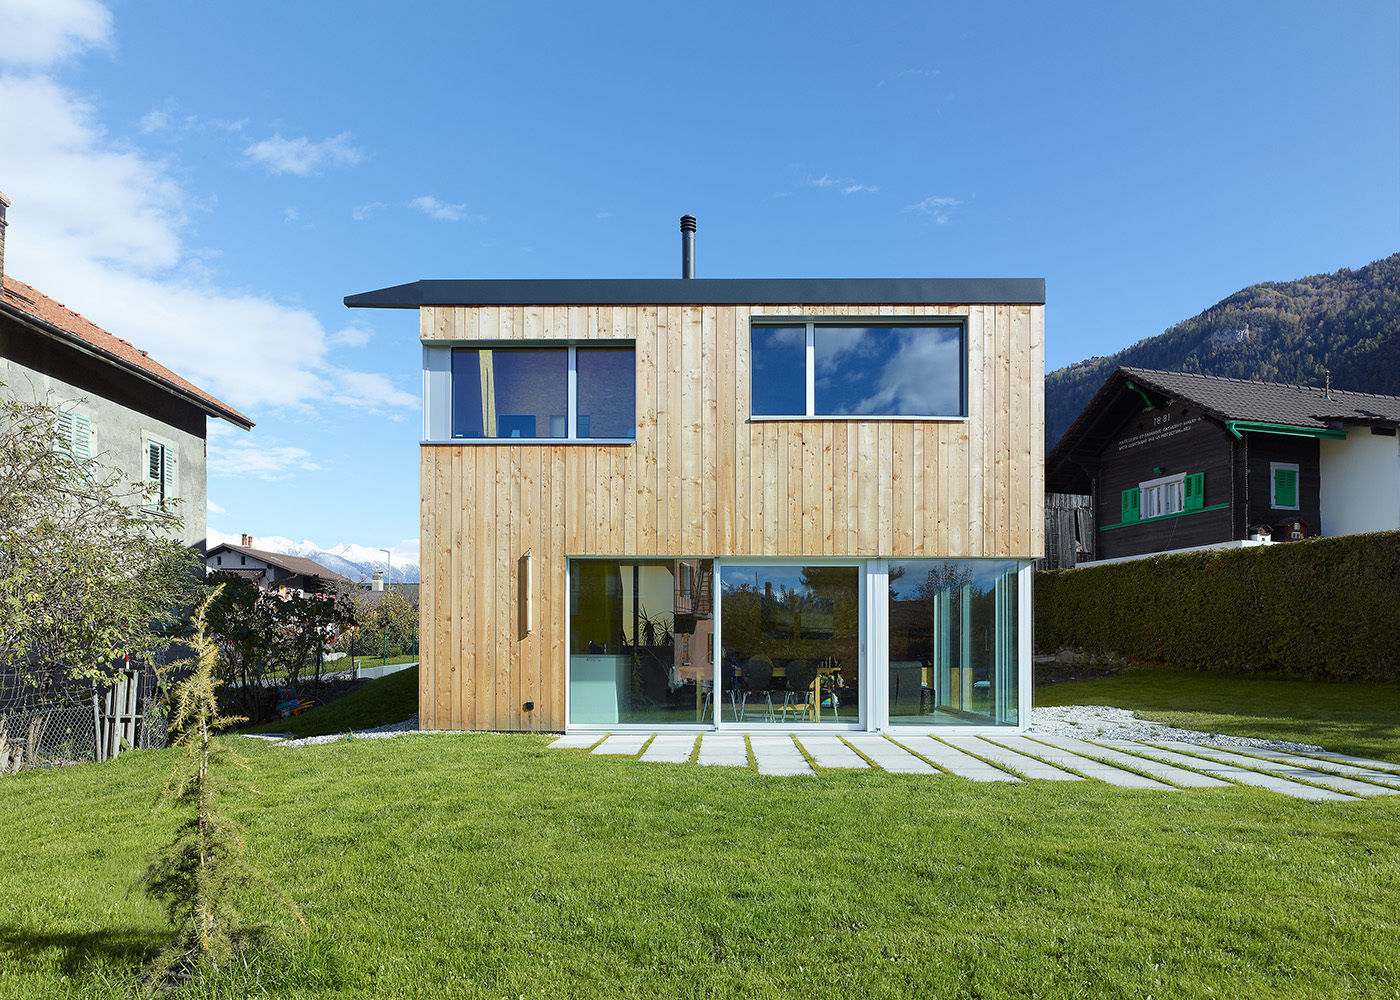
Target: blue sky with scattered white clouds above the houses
211, 180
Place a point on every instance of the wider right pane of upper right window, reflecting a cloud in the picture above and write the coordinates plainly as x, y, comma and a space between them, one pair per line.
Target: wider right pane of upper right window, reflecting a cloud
890, 370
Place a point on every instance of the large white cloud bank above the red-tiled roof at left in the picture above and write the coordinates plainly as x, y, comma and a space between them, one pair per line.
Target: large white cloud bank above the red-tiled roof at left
100, 228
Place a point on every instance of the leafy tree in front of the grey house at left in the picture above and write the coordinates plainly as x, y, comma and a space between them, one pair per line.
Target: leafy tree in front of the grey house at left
90, 572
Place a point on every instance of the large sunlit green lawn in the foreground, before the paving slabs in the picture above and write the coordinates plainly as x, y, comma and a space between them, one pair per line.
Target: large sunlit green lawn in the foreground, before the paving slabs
486, 866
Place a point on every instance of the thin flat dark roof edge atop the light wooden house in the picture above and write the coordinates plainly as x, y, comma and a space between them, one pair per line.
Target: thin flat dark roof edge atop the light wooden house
706, 292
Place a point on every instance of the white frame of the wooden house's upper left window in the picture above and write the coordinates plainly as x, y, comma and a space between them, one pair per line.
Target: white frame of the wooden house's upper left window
437, 391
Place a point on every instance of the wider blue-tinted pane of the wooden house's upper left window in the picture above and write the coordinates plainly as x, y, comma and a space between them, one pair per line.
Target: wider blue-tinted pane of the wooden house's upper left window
510, 393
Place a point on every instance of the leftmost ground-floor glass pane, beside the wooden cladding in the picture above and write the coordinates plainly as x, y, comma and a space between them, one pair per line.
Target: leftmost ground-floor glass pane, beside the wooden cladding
640, 642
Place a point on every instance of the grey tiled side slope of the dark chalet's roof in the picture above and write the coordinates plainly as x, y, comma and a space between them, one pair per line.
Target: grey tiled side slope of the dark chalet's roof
1270, 403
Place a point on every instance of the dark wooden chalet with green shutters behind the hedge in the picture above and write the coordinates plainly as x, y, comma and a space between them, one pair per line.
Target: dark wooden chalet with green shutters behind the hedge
1177, 460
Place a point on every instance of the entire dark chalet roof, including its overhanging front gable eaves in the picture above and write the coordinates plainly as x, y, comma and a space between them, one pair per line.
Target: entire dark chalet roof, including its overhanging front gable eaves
1221, 398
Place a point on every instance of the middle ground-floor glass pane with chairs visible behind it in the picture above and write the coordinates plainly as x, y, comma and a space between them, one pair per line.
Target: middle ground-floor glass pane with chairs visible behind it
790, 644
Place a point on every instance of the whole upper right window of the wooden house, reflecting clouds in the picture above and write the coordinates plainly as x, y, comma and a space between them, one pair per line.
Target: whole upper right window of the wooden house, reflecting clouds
859, 369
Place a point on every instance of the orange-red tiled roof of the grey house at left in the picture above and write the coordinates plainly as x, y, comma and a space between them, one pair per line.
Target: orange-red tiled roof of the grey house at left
58, 321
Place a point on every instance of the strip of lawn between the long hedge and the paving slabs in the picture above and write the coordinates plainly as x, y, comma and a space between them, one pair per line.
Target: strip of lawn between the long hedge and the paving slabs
1361, 719
